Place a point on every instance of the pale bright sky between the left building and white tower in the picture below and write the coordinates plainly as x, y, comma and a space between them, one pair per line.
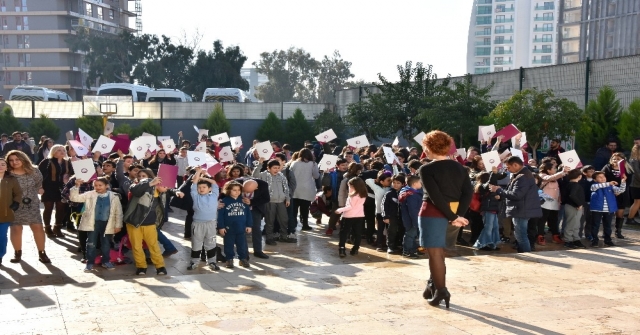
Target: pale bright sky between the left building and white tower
375, 36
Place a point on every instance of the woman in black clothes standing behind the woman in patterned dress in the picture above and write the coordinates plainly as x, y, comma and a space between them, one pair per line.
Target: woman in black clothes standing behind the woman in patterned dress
55, 171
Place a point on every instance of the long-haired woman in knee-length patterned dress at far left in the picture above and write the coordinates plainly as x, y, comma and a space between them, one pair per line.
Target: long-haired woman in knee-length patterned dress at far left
28, 213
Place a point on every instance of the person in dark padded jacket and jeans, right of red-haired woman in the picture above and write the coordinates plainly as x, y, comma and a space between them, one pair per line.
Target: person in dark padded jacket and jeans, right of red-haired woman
521, 200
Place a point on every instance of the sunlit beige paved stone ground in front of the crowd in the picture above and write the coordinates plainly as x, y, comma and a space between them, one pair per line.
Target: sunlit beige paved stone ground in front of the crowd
307, 289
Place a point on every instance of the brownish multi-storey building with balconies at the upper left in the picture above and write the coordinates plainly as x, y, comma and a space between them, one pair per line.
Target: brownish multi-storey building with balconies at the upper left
33, 47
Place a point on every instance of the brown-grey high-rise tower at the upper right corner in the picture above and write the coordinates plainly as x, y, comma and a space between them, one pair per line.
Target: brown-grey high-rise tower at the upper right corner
598, 29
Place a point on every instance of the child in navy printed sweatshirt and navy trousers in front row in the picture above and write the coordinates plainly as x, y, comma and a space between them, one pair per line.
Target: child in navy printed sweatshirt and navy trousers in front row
234, 221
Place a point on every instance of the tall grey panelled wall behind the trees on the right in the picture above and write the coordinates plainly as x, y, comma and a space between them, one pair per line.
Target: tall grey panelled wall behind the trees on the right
578, 82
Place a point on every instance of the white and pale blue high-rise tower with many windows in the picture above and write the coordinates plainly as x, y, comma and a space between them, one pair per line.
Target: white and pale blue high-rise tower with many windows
508, 34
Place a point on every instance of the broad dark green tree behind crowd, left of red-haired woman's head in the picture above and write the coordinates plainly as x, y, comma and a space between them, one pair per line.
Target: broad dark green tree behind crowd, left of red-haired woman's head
400, 106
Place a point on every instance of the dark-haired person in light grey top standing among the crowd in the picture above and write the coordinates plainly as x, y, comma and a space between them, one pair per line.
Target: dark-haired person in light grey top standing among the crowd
305, 170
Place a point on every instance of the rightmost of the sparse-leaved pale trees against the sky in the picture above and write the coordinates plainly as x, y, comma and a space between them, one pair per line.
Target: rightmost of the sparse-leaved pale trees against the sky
333, 74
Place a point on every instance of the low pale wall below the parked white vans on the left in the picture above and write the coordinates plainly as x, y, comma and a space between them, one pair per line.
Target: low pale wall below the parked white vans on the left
163, 110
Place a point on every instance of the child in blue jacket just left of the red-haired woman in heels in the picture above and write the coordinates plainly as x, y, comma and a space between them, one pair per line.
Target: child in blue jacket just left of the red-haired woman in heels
410, 200
